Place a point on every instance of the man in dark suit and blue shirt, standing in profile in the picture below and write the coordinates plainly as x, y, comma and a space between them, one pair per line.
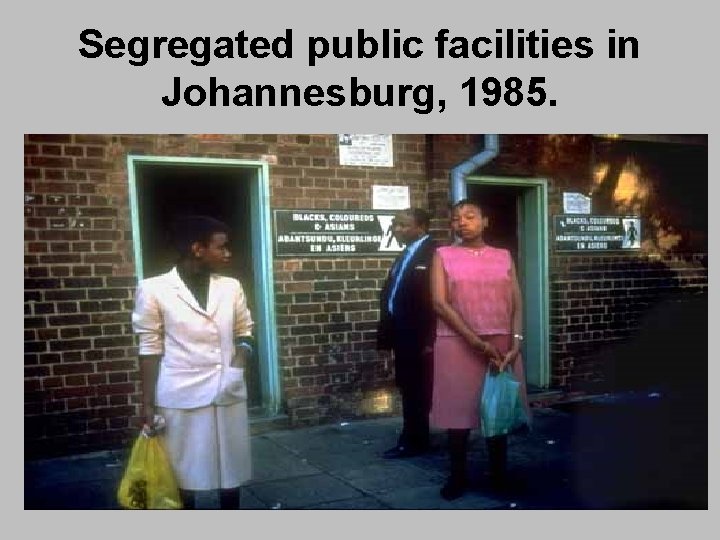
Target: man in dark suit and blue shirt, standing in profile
407, 327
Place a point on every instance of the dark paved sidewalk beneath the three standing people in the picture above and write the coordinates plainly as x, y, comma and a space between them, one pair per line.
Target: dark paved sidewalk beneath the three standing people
604, 453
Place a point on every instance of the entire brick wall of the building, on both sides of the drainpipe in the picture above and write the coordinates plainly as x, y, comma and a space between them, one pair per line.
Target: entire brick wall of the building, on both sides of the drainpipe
81, 379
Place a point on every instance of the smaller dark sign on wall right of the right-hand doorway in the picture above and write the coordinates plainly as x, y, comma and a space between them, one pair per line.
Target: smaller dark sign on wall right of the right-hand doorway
596, 233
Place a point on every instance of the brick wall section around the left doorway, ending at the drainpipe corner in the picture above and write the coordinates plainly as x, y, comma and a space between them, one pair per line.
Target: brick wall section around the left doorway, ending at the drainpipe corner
81, 379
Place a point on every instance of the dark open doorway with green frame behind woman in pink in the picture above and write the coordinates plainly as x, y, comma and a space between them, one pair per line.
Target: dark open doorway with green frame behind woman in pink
517, 212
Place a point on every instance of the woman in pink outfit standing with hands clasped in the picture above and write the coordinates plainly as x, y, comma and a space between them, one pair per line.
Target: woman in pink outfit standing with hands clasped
479, 306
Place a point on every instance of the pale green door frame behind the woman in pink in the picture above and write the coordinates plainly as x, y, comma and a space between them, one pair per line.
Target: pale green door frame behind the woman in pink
533, 272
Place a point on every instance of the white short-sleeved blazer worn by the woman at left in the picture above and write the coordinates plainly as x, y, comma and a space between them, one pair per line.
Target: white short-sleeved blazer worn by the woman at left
196, 345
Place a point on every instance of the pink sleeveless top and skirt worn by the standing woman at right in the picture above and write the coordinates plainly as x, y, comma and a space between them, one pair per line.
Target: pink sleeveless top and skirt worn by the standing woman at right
479, 287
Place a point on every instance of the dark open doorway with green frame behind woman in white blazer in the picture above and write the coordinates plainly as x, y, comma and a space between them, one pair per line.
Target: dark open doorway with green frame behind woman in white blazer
235, 192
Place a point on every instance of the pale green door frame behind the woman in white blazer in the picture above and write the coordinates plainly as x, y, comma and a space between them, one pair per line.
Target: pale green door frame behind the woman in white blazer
261, 255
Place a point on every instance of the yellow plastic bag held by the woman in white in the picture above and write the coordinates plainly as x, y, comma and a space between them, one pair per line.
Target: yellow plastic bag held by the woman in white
149, 482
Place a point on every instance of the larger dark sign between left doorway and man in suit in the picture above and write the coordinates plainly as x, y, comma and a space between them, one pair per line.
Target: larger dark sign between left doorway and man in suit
334, 233
